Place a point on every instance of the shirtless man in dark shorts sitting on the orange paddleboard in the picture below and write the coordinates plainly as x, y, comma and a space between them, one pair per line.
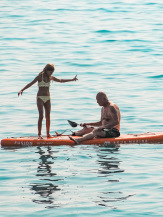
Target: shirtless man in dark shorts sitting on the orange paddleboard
107, 127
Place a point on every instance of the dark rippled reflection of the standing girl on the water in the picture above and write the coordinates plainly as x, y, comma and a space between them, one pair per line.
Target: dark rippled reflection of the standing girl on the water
47, 184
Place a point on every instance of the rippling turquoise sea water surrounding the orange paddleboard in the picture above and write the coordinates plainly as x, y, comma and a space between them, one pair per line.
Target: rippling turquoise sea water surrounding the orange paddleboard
113, 46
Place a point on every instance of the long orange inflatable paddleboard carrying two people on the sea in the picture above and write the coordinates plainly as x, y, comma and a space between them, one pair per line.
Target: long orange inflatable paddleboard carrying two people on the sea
65, 140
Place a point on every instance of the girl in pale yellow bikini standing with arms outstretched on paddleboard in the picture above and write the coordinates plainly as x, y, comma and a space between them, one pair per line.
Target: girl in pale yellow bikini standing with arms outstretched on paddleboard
43, 95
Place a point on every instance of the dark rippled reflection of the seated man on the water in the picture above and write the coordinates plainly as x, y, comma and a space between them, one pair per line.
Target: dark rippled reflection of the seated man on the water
109, 166
